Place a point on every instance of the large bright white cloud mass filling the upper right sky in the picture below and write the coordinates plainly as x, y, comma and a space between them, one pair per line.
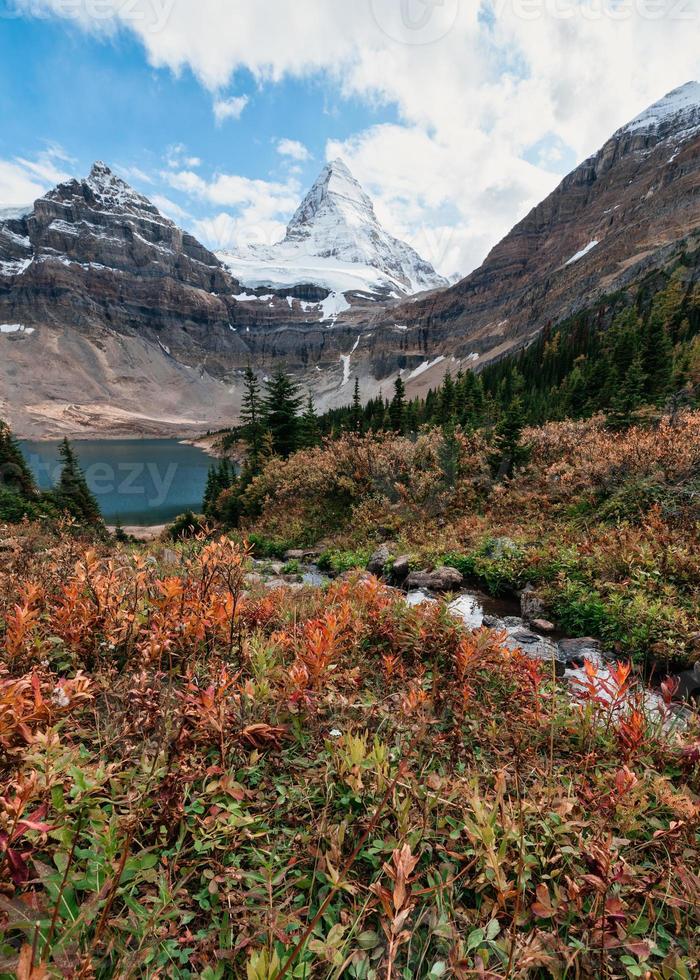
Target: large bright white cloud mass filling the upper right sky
475, 86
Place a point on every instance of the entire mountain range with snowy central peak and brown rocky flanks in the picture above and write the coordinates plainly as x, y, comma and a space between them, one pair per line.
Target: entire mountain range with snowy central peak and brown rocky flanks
113, 320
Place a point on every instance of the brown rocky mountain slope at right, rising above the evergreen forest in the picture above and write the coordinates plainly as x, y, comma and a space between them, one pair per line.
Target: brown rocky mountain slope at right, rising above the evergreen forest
621, 213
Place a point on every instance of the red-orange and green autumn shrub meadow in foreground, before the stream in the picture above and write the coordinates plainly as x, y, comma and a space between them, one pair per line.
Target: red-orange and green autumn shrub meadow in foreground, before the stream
202, 777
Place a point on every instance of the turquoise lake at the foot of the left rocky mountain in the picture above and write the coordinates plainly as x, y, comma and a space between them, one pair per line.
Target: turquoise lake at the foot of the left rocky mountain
135, 481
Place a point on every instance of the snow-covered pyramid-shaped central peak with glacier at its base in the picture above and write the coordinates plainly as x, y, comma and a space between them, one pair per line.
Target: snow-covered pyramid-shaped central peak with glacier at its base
335, 241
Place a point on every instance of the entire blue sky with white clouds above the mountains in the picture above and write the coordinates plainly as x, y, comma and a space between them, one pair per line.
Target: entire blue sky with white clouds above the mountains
456, 116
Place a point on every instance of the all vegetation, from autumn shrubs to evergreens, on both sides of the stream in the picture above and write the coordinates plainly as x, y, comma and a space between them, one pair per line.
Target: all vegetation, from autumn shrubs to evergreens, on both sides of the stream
206, 772
